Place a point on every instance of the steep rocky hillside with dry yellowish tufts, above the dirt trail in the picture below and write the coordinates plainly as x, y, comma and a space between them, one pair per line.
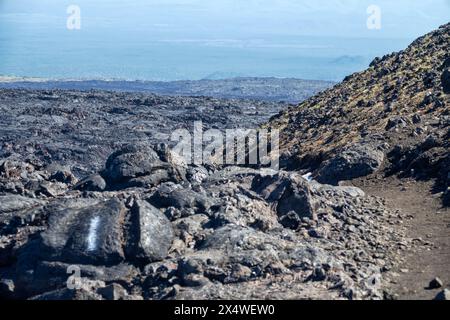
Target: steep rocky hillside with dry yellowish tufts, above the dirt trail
393, 118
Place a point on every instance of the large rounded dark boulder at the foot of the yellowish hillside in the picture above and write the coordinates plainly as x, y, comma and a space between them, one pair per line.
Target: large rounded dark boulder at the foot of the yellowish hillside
357, 161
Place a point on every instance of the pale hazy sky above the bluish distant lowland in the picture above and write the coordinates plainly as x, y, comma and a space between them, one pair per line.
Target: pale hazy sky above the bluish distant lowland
187, 19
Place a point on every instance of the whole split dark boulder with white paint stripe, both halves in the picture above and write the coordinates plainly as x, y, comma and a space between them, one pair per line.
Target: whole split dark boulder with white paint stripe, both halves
100, 233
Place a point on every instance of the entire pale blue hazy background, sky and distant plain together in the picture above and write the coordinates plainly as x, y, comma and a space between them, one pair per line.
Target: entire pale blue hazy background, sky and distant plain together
196, 39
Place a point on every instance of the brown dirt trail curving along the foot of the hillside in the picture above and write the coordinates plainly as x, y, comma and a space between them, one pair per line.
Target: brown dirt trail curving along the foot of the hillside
428, 224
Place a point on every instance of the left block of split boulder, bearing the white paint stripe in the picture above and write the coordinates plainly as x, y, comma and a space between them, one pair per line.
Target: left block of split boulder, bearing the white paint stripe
86, 235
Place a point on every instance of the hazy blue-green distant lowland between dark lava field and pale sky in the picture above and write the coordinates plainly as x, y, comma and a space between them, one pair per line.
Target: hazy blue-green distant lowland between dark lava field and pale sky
52, 56
